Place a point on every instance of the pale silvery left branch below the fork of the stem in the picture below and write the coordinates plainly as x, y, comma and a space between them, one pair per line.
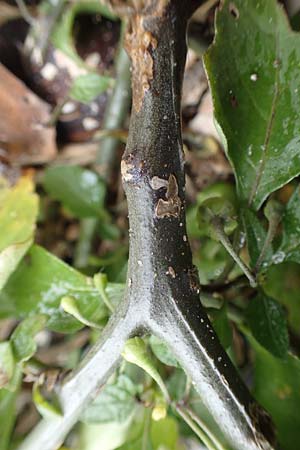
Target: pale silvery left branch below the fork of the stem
84, 384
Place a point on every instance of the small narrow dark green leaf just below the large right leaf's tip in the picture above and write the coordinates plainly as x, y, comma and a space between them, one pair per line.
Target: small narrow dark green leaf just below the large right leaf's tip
255, 236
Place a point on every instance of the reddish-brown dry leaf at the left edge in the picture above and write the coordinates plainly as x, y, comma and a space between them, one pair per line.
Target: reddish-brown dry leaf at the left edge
24, 136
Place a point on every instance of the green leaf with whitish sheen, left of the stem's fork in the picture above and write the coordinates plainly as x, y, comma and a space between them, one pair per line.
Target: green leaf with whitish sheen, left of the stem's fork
39, 284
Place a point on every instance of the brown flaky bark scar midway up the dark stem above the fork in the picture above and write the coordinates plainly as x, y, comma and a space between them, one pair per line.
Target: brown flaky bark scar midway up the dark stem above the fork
172, 205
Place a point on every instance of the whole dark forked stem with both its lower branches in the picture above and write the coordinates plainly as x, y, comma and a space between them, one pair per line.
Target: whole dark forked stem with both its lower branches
162, 295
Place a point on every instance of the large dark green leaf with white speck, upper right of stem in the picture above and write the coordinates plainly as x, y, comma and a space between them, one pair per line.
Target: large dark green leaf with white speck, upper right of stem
254, 58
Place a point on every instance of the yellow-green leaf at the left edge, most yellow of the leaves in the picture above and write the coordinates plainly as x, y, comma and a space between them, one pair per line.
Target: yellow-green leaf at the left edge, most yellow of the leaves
18, 213
